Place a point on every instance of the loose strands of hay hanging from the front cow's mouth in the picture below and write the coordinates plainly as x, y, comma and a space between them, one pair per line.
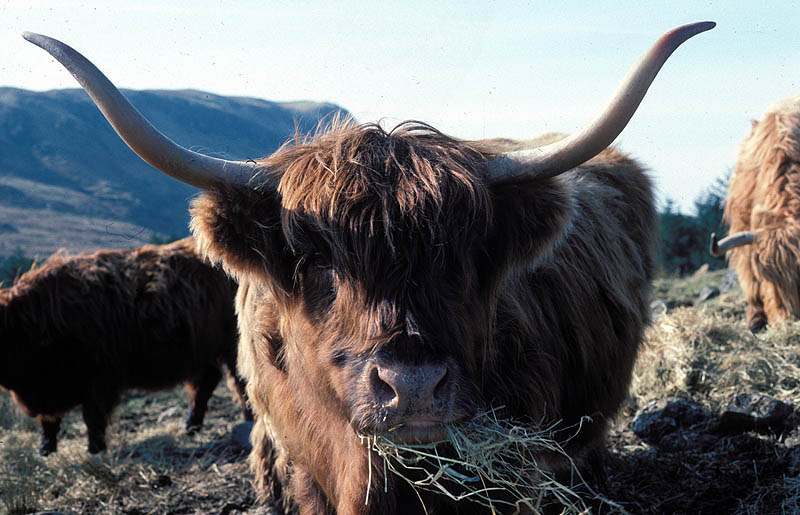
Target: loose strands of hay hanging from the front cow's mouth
491, 461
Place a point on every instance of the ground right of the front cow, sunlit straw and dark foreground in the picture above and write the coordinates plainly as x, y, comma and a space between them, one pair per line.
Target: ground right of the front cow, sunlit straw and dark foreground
706, 353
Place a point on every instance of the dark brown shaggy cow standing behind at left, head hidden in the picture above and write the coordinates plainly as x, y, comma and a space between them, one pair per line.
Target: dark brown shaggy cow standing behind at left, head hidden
80, 330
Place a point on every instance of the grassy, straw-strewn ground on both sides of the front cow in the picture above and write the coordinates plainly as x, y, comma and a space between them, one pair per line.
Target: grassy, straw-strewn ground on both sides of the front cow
703, 353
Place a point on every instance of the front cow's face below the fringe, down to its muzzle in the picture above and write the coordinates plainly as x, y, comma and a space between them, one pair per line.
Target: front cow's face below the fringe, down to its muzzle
393, 331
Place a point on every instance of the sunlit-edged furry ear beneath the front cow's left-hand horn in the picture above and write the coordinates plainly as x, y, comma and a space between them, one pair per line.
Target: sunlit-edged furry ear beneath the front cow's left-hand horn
240, 227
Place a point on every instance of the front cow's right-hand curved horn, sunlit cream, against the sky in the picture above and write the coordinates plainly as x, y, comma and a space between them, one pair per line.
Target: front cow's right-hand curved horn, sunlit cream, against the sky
556, 158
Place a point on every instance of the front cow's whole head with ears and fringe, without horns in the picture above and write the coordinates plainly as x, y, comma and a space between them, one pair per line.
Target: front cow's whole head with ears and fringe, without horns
385, 253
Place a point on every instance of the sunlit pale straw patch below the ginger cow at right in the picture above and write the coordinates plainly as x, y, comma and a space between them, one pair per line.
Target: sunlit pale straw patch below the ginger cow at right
707, 353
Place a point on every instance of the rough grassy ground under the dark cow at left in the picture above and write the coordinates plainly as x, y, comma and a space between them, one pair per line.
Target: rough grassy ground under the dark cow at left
150, 467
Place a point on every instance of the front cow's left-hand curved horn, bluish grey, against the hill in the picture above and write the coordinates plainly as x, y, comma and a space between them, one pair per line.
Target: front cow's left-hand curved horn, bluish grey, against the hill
151, 145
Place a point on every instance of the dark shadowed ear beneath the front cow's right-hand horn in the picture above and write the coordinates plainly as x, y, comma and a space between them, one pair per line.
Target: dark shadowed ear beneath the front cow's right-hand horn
531, 218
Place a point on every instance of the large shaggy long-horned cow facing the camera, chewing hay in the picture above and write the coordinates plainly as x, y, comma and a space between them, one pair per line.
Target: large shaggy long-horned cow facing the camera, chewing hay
402, 281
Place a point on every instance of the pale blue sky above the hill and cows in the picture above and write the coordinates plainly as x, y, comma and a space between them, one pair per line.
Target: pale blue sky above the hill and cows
471, 69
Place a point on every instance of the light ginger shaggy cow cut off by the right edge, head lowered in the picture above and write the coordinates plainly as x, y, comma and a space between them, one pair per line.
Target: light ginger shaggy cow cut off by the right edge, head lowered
763, 213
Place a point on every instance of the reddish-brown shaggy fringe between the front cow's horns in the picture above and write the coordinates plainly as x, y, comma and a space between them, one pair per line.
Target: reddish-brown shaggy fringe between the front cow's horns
422, 173
